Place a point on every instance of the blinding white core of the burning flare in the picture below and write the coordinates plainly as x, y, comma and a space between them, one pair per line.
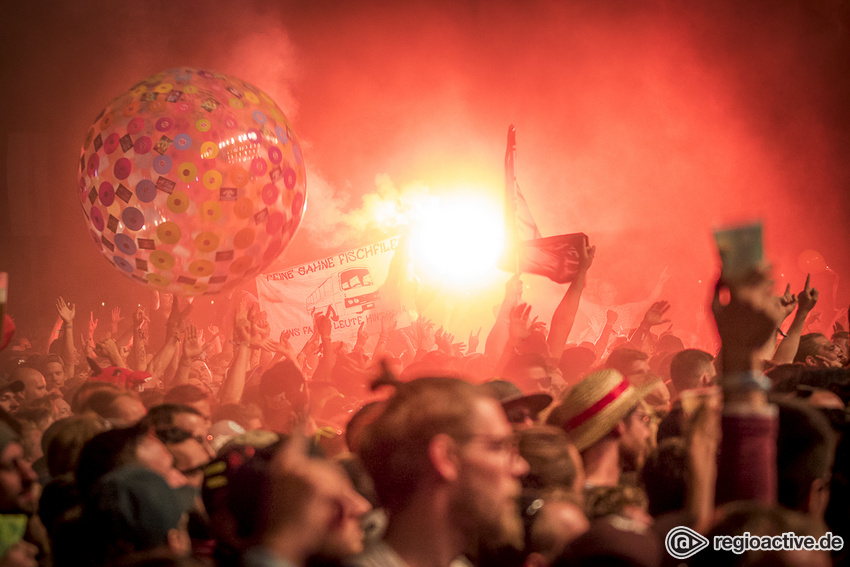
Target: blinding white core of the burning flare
456, 240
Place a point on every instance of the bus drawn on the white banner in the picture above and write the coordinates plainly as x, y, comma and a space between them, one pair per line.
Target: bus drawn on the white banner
351, 288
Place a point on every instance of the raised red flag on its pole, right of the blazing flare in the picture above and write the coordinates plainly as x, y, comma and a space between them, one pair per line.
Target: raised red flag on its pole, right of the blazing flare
555, 257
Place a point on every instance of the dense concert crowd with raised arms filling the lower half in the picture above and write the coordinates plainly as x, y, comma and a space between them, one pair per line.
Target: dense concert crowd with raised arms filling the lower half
176, 445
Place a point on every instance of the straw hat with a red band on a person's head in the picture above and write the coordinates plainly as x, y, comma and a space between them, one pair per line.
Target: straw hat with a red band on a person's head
595, 406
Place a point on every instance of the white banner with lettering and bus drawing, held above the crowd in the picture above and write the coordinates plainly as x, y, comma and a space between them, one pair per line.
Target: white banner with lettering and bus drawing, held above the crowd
352, 287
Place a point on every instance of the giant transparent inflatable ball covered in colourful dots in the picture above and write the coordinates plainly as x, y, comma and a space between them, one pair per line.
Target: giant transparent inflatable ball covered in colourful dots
192, 181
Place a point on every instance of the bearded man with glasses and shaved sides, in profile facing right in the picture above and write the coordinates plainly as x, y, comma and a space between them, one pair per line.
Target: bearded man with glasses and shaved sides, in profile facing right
446, 469
